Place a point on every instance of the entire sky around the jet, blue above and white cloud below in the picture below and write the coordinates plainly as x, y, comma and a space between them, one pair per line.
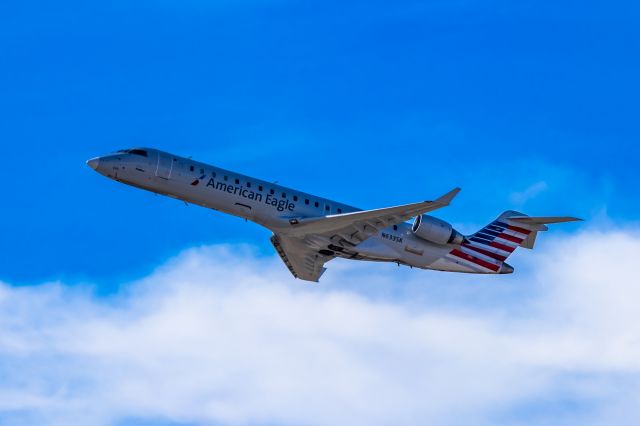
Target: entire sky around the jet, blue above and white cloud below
528, 105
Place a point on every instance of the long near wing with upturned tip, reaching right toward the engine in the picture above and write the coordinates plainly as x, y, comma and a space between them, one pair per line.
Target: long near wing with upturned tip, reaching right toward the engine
356, 227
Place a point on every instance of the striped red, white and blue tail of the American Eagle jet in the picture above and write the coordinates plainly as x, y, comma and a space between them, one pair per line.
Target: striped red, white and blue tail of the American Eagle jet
487, 250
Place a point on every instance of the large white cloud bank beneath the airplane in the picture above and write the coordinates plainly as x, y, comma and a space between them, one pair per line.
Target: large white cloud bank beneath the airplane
222, 336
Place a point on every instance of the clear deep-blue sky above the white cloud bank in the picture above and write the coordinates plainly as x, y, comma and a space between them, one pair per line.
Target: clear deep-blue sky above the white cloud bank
364, 102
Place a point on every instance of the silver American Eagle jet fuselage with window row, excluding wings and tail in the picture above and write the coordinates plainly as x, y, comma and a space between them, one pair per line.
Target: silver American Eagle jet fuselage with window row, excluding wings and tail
268, 204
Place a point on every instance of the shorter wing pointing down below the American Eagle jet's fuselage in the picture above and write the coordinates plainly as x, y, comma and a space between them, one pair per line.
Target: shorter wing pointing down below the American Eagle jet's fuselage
303, 260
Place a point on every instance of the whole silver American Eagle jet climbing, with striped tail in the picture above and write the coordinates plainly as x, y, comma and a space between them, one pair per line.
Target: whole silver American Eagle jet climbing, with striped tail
309, 231
